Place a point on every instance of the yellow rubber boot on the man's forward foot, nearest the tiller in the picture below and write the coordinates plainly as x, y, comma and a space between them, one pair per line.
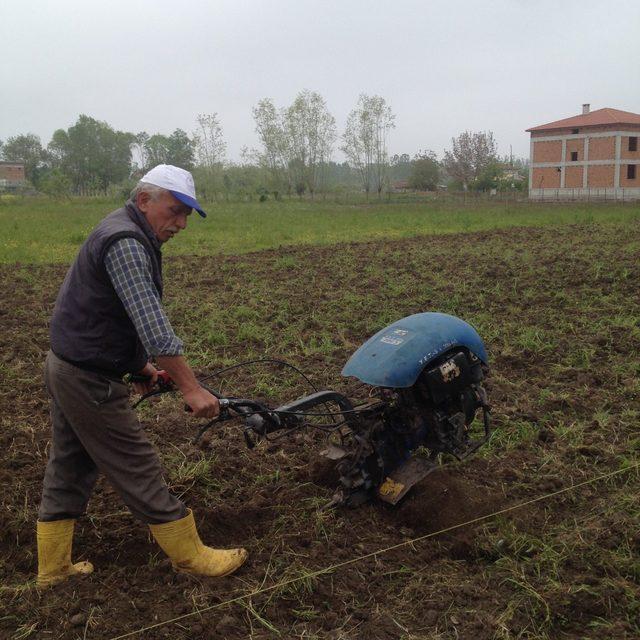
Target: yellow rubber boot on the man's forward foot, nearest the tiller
180, 541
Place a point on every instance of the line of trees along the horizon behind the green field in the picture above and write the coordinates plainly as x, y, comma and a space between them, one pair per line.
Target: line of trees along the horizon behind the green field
295, 155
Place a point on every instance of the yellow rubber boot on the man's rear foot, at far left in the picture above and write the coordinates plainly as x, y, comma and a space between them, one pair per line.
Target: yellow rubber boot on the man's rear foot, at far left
54, 553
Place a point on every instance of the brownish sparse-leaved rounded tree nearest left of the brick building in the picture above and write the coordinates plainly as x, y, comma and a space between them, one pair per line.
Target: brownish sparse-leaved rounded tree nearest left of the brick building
470, 154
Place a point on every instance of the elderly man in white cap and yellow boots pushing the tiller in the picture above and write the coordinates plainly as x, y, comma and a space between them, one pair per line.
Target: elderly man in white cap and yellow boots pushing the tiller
108, 321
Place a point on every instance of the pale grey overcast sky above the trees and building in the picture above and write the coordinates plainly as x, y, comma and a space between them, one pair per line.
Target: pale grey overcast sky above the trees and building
444, 66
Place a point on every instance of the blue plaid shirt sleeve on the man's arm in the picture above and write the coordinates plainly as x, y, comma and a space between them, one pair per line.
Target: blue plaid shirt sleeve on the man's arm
129, 268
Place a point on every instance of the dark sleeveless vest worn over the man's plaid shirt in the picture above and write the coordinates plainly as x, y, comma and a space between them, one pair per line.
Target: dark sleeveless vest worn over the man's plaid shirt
90, 327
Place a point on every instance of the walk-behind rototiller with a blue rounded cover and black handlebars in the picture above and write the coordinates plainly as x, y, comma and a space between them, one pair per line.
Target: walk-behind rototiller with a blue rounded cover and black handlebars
425, 373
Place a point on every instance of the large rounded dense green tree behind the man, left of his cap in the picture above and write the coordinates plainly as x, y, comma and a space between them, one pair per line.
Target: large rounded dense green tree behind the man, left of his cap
91, 153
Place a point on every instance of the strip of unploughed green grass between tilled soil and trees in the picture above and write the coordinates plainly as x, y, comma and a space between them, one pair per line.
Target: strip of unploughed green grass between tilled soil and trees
45, 231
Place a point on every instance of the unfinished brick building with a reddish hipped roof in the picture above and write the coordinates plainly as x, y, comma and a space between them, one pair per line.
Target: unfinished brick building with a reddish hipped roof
594, 155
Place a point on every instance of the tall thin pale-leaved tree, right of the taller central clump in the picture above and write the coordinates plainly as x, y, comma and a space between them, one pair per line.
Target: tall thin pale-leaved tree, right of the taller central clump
365, 141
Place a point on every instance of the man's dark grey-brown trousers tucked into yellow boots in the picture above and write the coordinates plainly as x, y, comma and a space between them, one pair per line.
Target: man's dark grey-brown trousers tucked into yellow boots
94, 430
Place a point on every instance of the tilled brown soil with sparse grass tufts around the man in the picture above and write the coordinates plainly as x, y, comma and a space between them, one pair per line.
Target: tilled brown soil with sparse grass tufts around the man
559, 310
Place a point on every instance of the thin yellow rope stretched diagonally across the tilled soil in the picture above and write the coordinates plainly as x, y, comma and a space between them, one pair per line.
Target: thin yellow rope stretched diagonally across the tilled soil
333, 567
